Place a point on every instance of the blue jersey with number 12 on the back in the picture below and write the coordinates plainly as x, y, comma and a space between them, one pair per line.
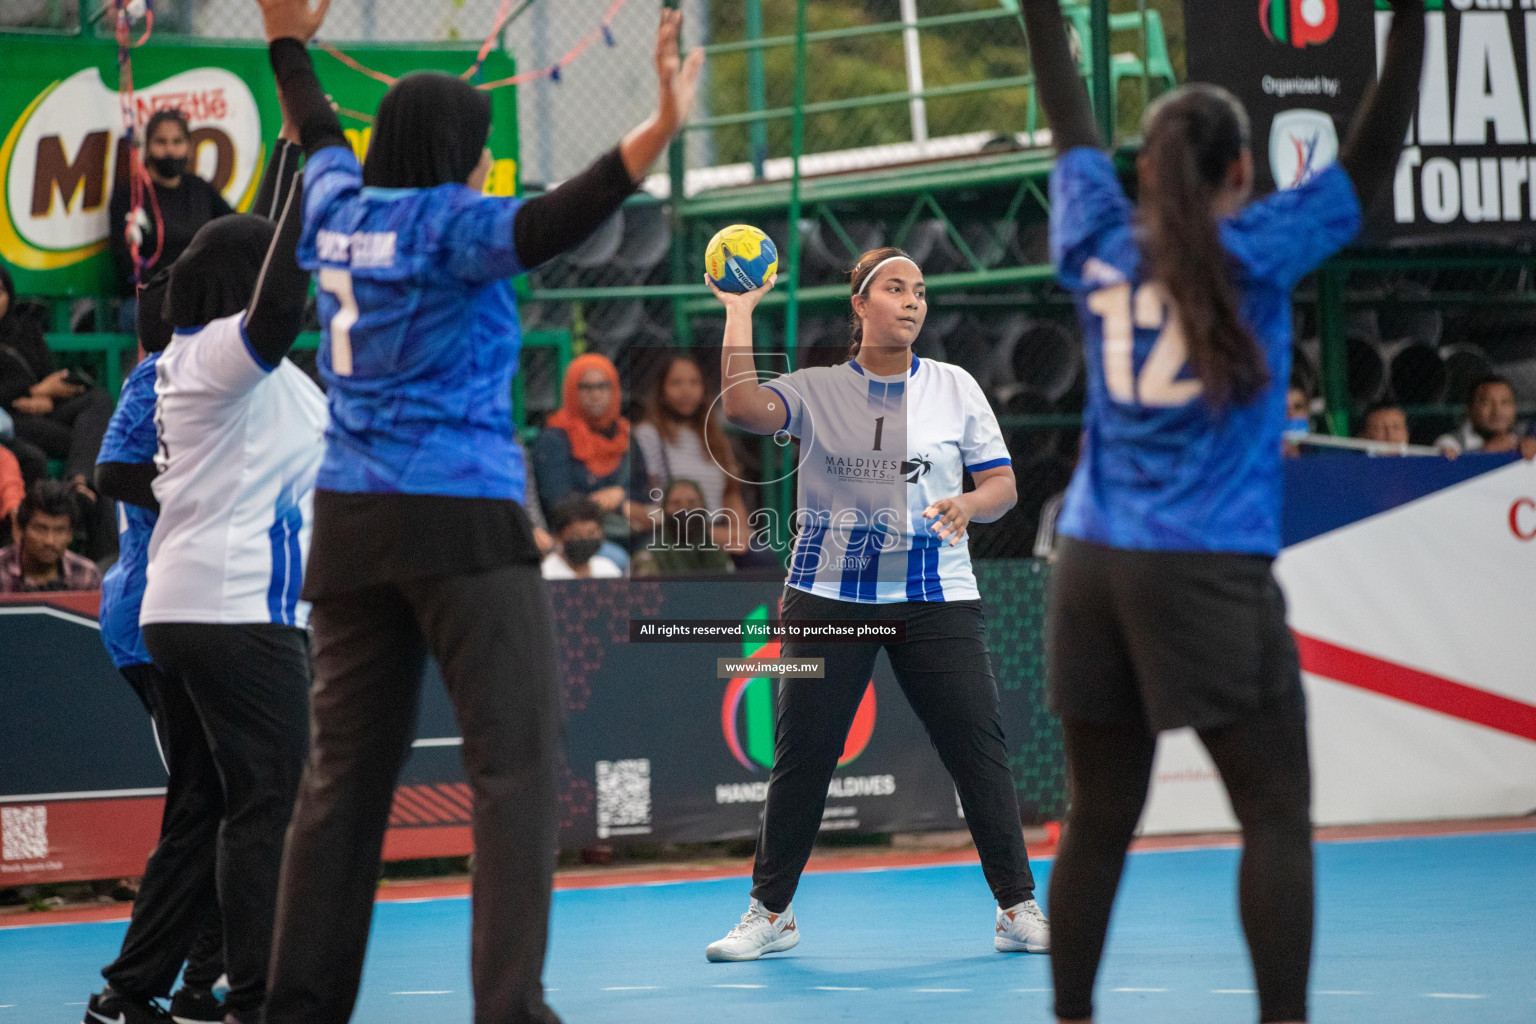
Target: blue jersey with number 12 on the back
1160, 469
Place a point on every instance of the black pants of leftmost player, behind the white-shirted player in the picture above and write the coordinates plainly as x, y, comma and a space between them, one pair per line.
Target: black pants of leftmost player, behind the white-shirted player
179, 880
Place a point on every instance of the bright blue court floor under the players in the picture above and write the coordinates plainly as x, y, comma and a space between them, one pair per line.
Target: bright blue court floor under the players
1420, 931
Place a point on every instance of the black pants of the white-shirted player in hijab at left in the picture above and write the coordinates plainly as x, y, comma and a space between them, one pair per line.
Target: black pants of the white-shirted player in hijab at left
250, 685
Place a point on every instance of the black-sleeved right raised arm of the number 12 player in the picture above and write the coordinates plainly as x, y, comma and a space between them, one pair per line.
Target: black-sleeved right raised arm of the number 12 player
1375, 140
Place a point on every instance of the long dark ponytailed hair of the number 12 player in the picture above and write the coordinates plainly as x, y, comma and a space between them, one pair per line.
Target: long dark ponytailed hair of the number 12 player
1193, 139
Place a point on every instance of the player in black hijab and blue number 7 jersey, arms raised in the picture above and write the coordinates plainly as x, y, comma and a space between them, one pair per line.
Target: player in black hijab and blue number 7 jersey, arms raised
422, 546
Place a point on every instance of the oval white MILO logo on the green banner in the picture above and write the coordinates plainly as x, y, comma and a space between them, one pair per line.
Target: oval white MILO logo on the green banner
64, 154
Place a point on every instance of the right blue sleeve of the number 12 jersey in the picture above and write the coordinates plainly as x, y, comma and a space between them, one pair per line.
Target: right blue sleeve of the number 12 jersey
1288, 236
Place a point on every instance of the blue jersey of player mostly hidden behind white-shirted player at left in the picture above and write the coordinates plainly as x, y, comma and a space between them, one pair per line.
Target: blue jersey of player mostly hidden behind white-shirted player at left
131, 440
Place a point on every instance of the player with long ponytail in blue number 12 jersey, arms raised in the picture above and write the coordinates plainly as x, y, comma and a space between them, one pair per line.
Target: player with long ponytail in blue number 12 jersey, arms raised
1164, 610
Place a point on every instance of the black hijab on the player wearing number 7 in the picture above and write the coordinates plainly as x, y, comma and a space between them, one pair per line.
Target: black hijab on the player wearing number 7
431, 130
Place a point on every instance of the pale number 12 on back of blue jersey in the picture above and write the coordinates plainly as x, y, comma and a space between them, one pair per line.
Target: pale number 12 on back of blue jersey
1122, 315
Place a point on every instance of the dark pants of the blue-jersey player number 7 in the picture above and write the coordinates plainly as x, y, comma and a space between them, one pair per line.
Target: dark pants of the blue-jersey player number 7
492, 636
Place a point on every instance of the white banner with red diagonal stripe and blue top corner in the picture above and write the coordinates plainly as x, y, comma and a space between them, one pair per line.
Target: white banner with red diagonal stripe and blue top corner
1411, 589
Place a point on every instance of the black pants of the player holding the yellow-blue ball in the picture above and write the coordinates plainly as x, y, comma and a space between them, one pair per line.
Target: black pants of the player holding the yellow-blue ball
945, 673
